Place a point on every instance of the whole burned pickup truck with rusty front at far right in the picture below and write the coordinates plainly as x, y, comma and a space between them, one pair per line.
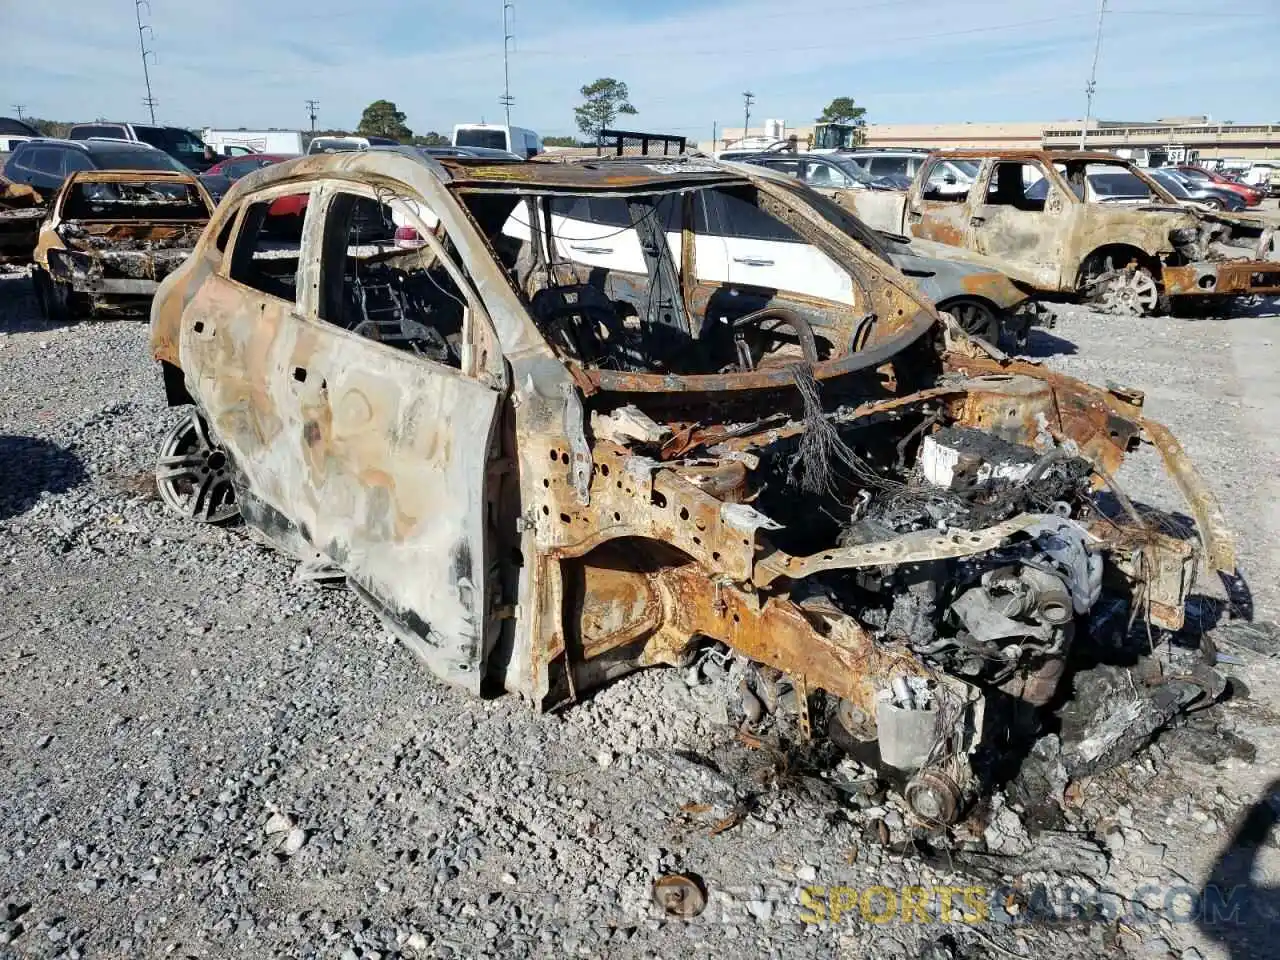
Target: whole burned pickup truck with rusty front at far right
1071, 223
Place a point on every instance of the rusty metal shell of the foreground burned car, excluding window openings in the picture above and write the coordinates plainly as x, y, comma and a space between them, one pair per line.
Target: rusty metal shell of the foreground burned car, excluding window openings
548, 524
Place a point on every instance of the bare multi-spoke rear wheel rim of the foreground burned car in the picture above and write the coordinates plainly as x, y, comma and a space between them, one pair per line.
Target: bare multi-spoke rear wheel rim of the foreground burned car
194, 476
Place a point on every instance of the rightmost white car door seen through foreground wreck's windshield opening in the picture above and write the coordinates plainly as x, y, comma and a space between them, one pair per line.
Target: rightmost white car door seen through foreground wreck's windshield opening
765, 253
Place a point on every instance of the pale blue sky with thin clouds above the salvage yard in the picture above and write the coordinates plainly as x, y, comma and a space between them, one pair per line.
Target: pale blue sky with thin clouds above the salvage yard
253, 63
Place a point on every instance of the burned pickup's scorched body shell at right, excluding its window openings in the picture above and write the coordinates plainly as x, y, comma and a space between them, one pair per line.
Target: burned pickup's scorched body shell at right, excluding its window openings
1063, 246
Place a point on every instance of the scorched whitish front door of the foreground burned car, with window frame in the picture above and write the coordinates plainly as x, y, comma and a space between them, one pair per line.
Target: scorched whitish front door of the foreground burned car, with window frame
391, 397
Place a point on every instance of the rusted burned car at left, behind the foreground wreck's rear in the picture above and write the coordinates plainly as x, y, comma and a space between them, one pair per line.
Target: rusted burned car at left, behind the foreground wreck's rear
111, 237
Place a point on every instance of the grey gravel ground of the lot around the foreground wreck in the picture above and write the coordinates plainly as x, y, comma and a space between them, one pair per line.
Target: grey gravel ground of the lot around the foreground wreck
202, 758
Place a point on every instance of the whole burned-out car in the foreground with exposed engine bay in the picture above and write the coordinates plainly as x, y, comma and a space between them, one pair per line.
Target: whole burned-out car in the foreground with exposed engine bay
545, 476
